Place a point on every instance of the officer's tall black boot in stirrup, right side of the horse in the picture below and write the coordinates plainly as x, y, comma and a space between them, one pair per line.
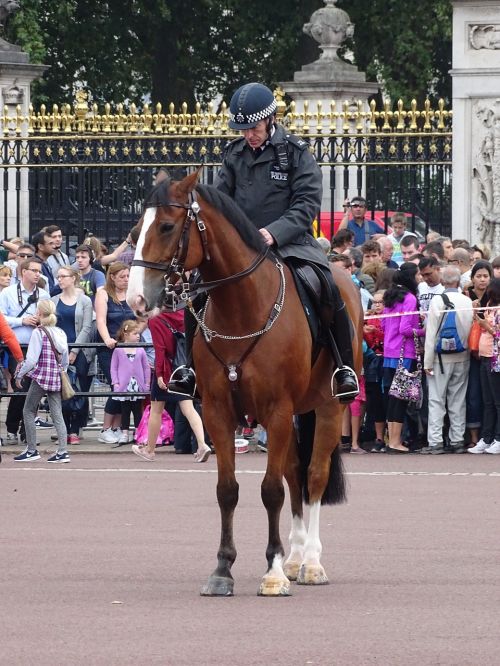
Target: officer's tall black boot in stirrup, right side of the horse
347, 385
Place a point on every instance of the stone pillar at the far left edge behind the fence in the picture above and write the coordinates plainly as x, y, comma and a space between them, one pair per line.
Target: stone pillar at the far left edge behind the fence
16, 76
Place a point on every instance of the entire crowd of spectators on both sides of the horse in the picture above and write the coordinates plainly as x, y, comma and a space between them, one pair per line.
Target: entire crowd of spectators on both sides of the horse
405, 283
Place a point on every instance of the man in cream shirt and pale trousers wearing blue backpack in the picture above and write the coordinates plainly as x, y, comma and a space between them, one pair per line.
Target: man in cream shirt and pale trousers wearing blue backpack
447, 373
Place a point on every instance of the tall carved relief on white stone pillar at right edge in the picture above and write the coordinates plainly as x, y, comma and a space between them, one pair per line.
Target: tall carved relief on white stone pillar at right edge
486, 172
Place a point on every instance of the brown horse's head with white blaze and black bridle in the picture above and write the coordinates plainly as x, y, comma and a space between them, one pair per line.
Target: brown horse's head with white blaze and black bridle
165, 235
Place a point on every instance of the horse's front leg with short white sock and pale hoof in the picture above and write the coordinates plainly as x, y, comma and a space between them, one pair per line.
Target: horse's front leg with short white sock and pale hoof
275, 583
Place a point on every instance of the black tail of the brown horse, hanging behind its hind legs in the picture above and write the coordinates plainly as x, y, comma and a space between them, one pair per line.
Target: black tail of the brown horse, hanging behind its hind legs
335, 491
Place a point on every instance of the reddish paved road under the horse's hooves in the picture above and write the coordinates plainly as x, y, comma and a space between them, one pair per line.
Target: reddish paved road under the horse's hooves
102, 561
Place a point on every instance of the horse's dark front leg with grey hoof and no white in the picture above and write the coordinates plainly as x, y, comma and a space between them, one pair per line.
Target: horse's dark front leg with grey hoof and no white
220, 583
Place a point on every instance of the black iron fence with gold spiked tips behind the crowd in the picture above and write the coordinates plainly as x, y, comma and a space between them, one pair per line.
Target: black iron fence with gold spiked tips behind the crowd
87, 171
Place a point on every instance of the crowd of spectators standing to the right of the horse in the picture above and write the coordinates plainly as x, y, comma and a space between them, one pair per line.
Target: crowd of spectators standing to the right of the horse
406, 285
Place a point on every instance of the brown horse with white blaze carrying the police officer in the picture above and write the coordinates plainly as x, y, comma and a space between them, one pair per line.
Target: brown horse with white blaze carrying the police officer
253, 355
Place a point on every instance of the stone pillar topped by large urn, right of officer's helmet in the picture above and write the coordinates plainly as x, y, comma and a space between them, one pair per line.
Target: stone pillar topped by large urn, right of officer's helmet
330, 79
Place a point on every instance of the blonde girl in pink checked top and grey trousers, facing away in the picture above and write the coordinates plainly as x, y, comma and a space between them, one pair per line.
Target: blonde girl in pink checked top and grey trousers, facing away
43, 367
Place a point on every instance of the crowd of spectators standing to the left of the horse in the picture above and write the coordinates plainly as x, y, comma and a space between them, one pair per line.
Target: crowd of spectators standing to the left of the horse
88, 294
